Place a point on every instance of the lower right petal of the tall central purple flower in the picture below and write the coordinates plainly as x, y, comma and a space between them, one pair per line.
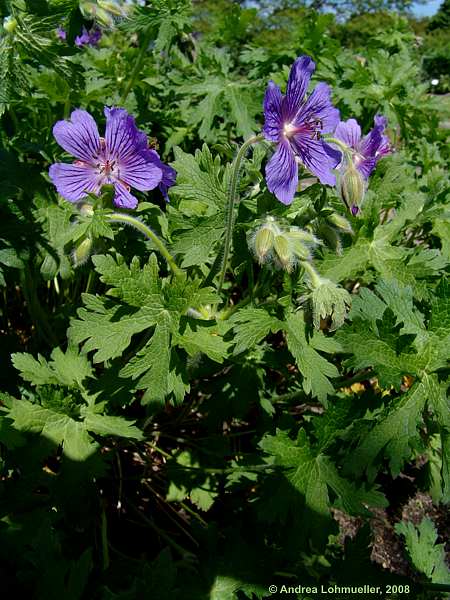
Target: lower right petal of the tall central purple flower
318, 157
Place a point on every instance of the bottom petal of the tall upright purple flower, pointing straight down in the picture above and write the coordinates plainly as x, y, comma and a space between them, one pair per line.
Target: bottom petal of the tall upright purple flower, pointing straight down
282, 173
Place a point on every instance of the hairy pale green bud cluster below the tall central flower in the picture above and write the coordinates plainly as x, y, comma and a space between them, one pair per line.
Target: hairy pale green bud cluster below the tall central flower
282, 247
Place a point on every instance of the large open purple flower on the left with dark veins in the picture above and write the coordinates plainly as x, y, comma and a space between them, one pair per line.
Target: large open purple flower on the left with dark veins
122, 158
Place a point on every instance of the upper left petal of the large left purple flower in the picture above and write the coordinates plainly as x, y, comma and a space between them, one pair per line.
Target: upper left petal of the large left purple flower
79, 136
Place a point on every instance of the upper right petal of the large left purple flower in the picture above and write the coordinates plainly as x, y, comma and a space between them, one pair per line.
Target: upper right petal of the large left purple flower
122, 137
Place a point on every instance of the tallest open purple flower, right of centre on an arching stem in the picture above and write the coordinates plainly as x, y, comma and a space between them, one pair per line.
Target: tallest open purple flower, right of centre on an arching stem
296, 124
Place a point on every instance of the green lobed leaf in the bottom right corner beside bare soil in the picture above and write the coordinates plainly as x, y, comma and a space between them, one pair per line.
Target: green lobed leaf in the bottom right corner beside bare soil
426, 555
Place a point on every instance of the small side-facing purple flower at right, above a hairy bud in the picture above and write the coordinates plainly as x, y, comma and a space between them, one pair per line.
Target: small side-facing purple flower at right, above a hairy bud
368, 150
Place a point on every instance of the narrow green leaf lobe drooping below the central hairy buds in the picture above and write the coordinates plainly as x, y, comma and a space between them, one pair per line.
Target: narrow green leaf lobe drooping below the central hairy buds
315, 369
